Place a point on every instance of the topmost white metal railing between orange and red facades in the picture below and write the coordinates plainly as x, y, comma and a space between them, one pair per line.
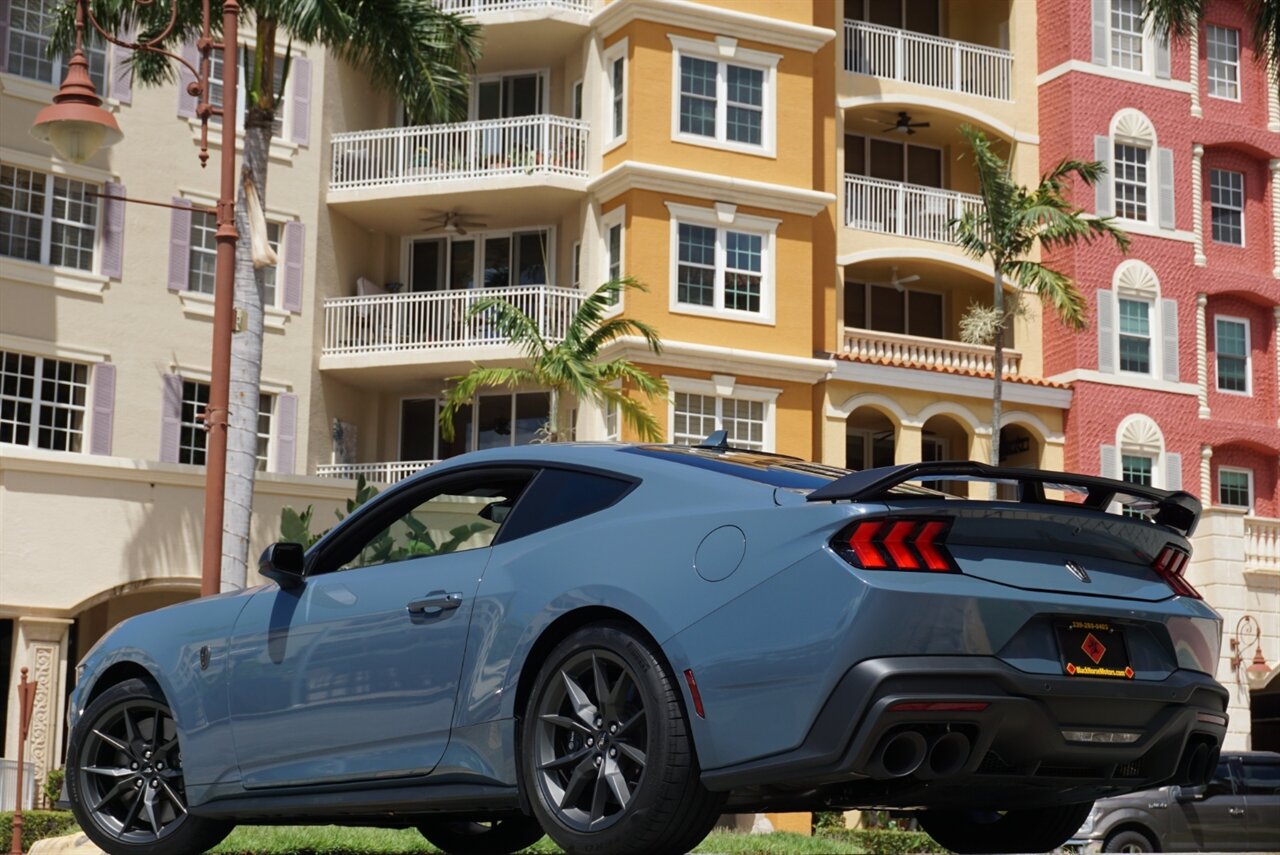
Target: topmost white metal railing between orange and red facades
929, 61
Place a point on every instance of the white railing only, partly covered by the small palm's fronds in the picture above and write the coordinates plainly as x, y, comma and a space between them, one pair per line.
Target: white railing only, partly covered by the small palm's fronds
440, 319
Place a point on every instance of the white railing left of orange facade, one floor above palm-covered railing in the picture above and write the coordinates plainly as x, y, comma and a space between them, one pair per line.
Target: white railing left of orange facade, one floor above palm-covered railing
424, 154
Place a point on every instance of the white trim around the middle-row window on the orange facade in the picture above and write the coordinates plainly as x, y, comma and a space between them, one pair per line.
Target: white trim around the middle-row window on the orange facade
721, 218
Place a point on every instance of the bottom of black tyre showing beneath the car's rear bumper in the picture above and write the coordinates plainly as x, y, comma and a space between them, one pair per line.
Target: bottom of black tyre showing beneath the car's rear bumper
1012, 831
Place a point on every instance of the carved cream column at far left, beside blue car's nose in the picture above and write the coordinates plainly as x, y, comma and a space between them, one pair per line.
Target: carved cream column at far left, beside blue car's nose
42, 647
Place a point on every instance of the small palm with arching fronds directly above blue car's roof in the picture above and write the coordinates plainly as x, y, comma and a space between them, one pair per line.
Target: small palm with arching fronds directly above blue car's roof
570, 367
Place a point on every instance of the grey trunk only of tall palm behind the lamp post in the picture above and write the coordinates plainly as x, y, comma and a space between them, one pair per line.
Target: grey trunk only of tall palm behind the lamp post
246, 364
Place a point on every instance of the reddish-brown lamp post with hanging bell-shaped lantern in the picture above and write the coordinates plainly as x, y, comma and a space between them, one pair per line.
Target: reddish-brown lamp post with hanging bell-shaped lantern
77, 126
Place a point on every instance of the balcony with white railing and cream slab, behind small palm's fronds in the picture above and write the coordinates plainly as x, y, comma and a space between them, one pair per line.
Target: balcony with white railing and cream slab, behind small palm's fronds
418, 328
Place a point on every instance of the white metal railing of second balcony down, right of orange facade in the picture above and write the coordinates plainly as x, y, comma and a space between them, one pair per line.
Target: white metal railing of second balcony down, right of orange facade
908, 211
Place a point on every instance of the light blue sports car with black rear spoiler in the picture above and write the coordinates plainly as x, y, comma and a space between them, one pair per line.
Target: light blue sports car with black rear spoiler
615, 644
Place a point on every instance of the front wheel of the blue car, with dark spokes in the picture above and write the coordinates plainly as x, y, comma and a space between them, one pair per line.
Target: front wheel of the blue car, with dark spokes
125, 778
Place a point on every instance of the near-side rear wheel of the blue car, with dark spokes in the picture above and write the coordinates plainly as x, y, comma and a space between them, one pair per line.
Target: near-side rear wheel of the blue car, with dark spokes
606, 755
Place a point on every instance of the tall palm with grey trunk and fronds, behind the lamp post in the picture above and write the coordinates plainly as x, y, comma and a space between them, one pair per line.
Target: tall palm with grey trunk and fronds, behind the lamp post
408, 48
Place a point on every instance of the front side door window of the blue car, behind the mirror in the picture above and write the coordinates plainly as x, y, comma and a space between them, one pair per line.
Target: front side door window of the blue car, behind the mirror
458, 516
